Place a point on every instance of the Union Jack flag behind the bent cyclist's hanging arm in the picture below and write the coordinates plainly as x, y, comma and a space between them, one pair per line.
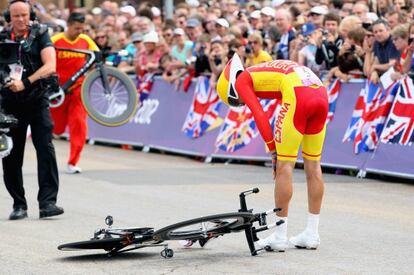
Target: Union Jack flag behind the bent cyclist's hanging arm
239, 127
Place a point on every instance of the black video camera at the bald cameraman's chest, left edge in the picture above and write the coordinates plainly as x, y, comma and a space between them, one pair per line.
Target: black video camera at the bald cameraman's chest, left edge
8, 55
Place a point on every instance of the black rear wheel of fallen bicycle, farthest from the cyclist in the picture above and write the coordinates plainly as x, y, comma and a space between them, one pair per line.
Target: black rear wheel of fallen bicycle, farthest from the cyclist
105, 244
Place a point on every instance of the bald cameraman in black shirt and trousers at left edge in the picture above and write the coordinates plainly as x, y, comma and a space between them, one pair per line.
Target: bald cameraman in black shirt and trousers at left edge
24, 98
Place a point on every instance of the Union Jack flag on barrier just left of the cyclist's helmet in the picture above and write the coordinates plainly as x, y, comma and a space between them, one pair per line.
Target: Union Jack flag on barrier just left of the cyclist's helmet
203, 111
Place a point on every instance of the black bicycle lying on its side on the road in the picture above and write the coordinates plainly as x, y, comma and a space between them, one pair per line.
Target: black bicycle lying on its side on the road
201, 230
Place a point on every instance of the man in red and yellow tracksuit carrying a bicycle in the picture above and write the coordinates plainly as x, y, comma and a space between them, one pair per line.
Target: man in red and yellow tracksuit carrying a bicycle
72, 112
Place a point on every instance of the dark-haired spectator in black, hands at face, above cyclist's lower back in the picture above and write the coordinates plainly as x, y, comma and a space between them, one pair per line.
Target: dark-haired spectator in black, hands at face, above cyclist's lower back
330, 42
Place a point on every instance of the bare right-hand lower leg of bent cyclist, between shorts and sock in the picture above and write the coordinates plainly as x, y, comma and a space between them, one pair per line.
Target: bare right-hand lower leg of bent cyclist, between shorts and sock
315, 185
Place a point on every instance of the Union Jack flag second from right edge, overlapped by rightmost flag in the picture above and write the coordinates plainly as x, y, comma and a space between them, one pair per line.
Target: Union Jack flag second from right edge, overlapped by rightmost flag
368, 119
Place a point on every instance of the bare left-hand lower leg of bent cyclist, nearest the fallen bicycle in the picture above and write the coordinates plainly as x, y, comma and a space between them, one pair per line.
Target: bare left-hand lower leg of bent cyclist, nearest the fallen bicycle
283, 186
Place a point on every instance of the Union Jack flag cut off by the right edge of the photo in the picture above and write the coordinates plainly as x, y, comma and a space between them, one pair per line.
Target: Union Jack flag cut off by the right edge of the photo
399, 127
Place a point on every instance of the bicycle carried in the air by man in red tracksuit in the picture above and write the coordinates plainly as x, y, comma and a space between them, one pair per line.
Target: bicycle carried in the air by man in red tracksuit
109, 95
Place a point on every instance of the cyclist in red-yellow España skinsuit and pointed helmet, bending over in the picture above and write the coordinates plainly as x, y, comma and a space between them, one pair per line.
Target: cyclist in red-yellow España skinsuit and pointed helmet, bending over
301, 120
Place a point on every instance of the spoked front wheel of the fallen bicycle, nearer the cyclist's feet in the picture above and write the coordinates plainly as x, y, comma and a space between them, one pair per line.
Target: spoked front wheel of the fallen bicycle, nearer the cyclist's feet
204, 227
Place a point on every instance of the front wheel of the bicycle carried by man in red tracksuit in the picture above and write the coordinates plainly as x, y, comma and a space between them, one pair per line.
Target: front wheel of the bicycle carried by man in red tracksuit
109, 109
